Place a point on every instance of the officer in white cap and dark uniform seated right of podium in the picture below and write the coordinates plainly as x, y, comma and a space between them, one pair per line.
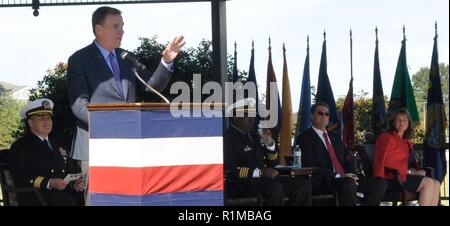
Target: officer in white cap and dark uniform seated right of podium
251, 157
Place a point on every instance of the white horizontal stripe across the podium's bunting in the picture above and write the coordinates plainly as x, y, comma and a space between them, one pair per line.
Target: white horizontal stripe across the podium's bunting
156, 151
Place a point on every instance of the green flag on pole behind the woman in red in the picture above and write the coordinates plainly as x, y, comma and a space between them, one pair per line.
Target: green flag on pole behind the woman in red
402, 95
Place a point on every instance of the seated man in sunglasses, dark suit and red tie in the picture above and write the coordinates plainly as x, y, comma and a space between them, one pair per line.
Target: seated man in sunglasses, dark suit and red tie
333, 170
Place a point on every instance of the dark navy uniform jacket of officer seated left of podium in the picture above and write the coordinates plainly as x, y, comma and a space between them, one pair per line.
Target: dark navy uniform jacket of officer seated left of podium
33, 163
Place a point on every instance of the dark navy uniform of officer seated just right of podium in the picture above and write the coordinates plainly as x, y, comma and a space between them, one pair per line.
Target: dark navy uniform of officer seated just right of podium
244, 153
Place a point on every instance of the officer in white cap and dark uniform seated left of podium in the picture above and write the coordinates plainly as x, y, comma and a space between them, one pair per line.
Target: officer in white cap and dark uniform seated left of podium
37, 160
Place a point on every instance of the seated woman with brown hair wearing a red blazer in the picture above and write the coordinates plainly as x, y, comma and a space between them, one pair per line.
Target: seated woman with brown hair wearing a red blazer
394, 150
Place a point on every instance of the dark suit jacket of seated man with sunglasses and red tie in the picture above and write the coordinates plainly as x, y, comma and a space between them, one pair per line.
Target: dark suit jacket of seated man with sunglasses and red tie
315, 154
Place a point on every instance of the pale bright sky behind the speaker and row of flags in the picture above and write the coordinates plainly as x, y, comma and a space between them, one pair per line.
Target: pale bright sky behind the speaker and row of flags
31, 45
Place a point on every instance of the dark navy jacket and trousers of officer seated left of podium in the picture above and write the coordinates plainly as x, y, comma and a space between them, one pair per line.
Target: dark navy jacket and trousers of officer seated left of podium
33, 163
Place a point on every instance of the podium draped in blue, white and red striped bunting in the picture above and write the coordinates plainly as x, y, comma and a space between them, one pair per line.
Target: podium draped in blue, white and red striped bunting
147, 154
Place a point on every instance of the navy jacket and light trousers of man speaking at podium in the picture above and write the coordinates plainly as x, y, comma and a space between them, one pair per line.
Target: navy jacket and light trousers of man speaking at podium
90, 80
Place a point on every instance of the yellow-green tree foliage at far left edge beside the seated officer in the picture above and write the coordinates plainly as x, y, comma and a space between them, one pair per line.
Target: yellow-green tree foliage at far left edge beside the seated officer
9, 119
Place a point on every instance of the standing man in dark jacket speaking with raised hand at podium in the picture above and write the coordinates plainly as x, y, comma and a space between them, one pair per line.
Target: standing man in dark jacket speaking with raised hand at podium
97, 74
